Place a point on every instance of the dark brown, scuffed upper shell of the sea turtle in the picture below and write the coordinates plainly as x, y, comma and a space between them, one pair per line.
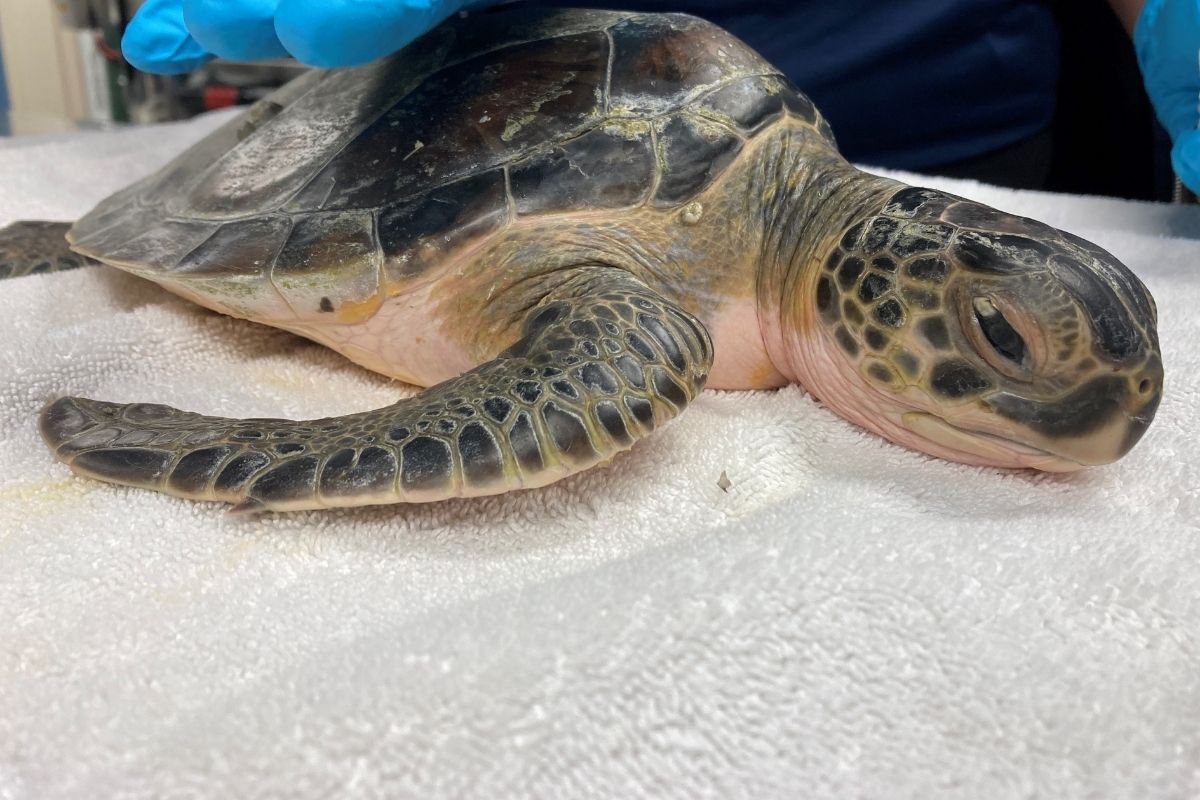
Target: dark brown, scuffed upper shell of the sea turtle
344, 183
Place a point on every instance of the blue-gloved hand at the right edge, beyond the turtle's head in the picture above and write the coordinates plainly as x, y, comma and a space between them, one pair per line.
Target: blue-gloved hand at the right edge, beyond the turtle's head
1167, 39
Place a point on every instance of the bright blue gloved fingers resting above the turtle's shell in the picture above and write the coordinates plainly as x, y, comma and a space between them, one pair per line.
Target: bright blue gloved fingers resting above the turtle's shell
172, 37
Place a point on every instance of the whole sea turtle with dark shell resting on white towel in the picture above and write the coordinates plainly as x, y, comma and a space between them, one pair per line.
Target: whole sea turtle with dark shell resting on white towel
566, 224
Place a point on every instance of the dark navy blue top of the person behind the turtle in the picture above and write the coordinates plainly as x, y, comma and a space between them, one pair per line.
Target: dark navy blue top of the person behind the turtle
910, 85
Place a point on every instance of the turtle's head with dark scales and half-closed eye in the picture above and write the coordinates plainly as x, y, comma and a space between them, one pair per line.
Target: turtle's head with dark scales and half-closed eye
985, 338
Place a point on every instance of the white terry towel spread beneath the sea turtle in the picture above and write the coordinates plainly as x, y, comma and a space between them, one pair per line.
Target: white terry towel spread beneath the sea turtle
849, 619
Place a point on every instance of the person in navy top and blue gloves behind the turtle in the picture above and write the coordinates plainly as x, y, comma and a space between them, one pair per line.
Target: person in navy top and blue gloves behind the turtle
957, 87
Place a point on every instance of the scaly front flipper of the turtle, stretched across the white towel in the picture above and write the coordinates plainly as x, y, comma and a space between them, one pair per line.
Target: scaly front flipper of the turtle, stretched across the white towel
602, 363
